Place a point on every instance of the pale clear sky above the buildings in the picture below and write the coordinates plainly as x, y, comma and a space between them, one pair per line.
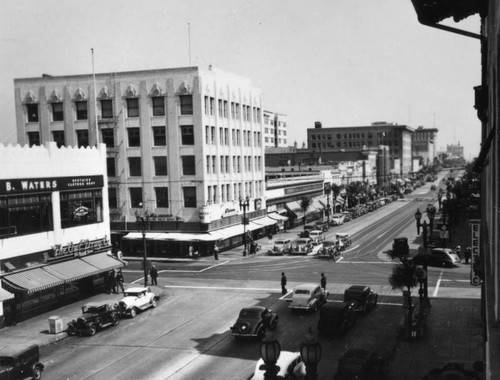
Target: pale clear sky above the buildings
341, 62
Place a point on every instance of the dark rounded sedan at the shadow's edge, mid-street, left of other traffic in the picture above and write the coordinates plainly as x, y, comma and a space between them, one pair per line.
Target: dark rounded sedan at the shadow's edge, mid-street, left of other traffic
254, 321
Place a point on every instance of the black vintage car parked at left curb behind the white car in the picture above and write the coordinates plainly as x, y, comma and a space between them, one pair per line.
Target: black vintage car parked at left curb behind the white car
95, 316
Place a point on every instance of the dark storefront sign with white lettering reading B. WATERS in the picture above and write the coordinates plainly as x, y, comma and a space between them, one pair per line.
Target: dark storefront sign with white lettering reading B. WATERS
47, 185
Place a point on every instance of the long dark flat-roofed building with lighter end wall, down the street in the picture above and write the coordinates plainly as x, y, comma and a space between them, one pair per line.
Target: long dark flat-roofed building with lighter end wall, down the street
397, 137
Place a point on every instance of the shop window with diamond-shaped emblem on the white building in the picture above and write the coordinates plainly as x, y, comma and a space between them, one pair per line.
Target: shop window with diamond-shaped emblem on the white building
80, 207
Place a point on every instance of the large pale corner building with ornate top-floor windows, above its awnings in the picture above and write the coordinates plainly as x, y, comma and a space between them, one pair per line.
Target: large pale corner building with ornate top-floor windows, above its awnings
177, 139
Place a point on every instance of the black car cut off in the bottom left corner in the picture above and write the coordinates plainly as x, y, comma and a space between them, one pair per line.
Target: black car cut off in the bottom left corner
20, 362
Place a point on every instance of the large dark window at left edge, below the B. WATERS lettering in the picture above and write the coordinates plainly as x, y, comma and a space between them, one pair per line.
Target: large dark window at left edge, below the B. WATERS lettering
25, 214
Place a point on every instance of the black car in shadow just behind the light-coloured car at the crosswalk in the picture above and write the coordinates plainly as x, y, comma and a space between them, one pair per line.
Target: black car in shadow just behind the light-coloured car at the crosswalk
336, 318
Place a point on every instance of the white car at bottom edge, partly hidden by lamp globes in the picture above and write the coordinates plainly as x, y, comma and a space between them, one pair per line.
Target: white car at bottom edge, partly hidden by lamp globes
290, 366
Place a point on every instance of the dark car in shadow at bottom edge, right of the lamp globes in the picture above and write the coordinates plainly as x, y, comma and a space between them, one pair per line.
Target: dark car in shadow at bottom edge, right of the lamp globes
360, 364
